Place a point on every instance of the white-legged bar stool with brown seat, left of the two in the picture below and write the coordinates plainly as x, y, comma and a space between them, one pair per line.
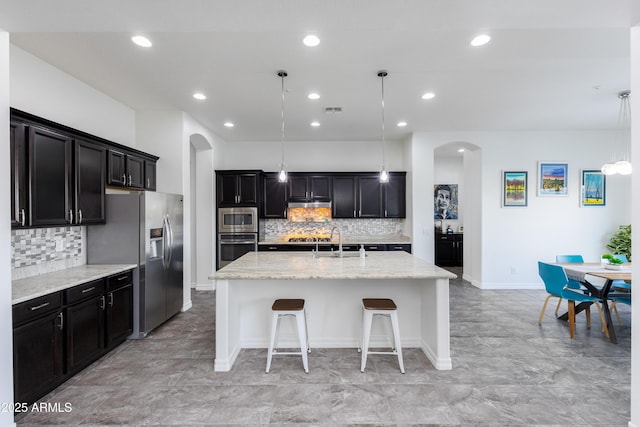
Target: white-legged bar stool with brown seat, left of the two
283, 308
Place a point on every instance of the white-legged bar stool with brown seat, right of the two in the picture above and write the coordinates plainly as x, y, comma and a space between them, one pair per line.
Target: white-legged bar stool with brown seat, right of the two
380, 307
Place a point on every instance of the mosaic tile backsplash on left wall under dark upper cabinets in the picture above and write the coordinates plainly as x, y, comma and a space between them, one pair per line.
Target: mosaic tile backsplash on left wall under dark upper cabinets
42, 250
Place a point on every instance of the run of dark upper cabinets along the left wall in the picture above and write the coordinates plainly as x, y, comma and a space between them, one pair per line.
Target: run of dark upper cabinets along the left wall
59, 176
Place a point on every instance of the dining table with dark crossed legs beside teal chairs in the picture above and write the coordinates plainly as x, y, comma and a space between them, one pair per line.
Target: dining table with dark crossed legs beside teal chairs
604, 290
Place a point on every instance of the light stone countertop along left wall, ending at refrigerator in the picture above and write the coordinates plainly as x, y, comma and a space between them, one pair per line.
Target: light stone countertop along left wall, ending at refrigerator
43, 284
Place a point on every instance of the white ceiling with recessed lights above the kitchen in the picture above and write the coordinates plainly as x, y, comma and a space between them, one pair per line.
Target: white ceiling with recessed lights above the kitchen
550, 65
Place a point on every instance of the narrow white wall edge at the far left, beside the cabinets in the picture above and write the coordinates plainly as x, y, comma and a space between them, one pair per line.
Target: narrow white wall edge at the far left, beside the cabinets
6, 332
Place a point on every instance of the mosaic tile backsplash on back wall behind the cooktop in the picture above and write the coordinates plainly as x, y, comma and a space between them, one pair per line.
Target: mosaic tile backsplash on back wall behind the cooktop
274, 228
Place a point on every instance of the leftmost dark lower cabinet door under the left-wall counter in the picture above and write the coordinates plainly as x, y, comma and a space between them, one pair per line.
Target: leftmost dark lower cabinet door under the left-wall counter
37, 357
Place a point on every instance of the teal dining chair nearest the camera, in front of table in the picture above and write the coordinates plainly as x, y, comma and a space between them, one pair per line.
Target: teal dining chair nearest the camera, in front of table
556, 283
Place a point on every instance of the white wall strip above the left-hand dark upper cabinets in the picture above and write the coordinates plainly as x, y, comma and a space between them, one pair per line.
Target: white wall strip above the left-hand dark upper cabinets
43, 90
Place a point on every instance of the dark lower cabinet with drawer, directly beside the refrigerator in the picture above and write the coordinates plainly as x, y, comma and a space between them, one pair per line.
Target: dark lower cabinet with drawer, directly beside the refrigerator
119, 308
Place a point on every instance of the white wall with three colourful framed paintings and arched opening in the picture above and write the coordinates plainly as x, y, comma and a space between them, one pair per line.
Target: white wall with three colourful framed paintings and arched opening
549, 225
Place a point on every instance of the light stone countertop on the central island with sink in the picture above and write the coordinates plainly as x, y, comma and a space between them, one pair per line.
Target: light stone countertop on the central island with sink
302, 265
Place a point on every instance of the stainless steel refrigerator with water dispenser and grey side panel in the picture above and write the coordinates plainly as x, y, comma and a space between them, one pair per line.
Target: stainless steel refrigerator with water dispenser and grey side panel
144, 228
